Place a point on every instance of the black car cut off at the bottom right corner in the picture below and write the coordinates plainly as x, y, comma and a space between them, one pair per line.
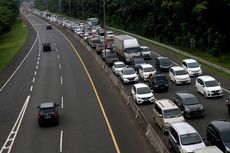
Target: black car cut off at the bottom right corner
218, 134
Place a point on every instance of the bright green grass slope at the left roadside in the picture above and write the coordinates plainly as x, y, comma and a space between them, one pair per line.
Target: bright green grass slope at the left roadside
11, 42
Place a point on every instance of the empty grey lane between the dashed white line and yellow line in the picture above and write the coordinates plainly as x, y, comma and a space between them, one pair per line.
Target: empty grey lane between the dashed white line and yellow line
87, 130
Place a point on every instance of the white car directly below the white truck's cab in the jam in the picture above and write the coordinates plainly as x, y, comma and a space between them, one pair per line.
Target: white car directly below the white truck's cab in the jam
128, 75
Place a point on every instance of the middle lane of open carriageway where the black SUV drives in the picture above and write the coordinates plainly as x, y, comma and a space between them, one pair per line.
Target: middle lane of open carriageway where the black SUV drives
46, 88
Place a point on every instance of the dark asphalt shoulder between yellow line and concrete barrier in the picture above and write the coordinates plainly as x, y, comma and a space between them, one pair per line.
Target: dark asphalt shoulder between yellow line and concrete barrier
127, 131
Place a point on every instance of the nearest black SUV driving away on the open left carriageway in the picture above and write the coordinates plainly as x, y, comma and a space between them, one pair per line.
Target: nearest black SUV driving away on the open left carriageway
48, 113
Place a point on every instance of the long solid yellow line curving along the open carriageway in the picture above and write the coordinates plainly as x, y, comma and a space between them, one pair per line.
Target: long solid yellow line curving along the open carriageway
95, 91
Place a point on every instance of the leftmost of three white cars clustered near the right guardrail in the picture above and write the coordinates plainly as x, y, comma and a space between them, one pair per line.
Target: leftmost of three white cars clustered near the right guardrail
179, 75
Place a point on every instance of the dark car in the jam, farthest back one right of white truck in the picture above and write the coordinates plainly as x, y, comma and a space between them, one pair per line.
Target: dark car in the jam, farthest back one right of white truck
162, 63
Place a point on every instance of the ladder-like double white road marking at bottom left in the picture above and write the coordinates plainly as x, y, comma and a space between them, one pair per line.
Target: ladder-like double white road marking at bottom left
7, 146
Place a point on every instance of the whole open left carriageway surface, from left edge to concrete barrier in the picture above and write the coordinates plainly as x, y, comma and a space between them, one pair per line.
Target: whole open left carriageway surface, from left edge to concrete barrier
92, 116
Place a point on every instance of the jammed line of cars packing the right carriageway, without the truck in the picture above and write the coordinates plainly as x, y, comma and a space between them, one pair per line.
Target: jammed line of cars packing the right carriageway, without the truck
169, 115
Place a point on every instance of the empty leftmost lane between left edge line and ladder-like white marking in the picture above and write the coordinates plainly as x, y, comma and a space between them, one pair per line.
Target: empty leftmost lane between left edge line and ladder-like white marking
15, 92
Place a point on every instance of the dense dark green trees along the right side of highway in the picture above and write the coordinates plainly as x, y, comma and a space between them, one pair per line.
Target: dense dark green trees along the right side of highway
196, 24
